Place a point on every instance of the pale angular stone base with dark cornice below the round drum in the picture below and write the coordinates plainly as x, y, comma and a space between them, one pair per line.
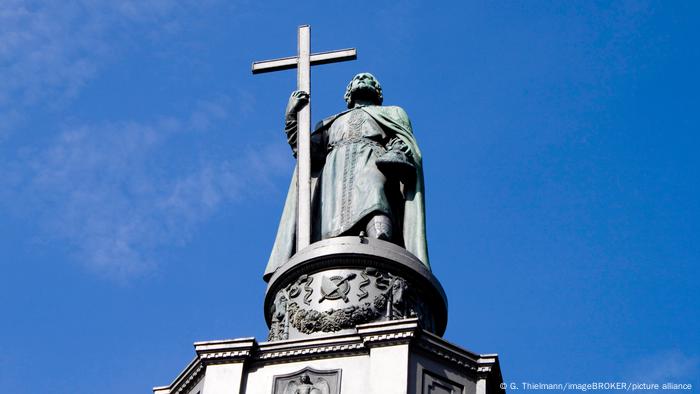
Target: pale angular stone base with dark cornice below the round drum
389, 357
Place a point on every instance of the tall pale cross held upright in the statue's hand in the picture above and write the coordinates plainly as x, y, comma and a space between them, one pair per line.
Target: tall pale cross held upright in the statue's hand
303, 62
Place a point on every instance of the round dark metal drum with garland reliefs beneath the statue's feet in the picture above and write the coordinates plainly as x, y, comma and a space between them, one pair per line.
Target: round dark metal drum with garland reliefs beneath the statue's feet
335, 284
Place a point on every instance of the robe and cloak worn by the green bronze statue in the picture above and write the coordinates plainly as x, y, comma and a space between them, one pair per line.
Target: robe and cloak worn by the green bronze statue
346, 185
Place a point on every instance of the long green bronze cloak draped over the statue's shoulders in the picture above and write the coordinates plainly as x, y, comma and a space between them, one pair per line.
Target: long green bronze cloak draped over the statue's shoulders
394, 121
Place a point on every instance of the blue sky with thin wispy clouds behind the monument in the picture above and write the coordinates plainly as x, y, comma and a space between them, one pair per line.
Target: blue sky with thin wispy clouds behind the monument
143, 171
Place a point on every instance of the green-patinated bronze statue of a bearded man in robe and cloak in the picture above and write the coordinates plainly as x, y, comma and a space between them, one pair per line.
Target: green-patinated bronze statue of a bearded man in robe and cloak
367, 175
